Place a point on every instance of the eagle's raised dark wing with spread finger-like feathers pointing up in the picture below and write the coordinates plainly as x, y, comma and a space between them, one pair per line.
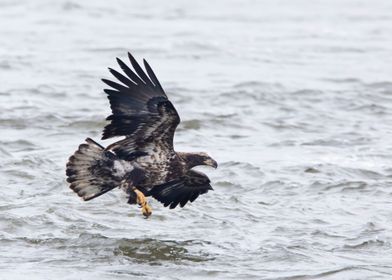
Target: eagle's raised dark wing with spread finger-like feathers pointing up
141, 112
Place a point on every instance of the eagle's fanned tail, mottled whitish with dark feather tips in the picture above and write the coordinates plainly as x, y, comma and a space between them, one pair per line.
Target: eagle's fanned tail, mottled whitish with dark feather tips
89, 170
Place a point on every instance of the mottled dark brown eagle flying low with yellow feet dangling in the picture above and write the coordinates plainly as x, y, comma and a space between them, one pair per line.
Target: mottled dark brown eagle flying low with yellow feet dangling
143, 163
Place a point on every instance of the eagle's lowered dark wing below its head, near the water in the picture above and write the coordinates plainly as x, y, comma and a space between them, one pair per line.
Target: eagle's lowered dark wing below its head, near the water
182, 190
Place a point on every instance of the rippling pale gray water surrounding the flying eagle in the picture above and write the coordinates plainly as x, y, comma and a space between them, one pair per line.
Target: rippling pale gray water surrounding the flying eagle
293, 99
